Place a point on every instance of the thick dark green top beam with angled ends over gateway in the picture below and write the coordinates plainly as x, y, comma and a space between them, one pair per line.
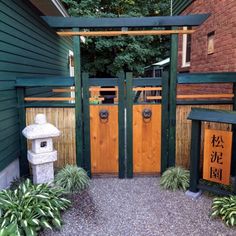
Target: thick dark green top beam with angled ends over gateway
119, 22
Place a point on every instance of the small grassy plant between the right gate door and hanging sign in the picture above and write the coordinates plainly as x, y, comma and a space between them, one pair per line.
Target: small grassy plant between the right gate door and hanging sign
175, 178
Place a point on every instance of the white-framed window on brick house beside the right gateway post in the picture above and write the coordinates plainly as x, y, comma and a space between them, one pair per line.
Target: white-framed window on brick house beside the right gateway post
186, 50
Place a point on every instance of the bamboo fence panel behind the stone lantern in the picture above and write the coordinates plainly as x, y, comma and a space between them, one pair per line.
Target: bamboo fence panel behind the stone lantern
64, 120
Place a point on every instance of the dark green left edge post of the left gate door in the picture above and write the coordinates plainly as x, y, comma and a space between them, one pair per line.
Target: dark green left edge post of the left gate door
86, 117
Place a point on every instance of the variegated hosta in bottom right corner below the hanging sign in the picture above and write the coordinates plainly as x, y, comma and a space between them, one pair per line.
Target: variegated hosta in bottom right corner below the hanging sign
225, 208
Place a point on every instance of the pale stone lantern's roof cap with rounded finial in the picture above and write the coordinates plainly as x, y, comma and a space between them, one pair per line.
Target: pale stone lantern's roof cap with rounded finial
41, 129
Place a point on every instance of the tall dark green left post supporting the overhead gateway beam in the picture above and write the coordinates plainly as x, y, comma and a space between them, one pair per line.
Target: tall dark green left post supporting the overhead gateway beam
78, 101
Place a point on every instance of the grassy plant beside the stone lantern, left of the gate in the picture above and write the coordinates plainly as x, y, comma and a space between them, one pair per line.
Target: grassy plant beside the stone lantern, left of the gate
72, 179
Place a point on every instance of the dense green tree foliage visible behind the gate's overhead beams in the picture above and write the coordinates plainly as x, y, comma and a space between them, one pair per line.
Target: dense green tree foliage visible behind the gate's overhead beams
105, 56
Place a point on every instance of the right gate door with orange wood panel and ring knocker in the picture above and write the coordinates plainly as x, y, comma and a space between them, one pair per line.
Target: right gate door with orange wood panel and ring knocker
144, 126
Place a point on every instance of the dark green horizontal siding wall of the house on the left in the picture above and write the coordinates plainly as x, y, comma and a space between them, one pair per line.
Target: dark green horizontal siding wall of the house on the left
28, 47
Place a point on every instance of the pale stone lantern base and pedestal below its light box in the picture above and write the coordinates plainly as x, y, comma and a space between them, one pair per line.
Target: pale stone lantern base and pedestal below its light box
42, 166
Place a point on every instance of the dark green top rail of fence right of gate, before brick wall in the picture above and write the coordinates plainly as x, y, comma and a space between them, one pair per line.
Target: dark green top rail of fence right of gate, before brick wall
201, 78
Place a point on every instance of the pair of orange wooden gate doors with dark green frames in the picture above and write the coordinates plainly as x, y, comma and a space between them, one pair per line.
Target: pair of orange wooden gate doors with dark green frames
125, 135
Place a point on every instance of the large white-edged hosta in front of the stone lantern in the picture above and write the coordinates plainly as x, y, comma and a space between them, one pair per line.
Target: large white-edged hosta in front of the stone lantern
30, 208
